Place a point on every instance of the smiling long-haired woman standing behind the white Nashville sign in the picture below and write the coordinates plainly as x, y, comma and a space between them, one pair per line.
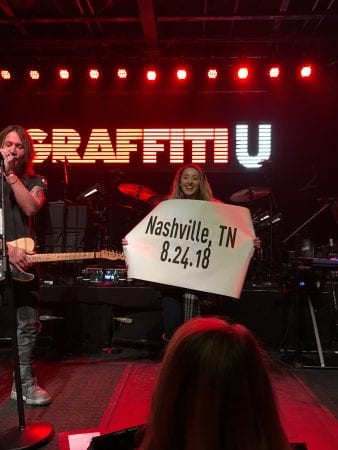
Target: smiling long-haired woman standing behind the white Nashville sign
191, 183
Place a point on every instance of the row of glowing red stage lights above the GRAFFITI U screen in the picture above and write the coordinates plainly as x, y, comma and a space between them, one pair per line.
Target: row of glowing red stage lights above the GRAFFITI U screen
241, 73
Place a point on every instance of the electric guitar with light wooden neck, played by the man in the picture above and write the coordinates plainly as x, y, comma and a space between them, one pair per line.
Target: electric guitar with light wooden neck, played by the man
28, 245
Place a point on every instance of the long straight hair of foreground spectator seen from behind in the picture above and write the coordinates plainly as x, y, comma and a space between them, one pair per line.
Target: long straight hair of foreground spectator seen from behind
214, 393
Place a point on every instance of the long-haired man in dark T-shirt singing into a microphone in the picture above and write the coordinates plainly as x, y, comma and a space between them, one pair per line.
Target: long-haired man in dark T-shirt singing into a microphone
24, 195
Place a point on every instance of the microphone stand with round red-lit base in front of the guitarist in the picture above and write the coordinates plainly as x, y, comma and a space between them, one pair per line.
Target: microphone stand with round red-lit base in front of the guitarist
24, 435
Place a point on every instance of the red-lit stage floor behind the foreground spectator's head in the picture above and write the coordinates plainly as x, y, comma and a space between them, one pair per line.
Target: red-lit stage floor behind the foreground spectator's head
83, 407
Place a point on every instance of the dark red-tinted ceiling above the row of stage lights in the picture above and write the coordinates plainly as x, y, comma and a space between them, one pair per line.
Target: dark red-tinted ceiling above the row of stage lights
168, 29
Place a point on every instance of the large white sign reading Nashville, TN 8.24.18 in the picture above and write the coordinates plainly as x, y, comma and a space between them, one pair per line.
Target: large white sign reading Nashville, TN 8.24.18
194, 244
